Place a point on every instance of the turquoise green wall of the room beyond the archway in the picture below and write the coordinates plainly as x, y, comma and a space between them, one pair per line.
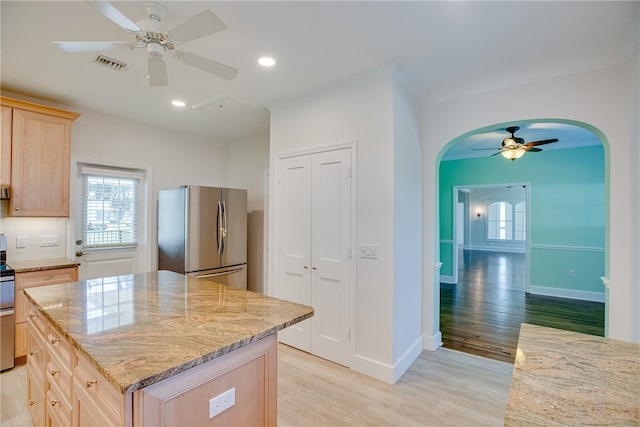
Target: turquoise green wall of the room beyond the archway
567, 222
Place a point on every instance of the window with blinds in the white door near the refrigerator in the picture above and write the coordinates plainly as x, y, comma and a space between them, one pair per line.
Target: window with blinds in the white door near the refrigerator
110, 207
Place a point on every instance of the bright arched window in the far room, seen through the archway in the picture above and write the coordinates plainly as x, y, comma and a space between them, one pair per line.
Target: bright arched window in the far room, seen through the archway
506, 221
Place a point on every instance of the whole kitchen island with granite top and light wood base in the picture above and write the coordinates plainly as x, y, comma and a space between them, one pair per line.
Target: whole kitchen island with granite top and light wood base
154, 348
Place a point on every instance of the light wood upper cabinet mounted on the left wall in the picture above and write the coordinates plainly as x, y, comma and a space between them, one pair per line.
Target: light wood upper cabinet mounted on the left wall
39, 145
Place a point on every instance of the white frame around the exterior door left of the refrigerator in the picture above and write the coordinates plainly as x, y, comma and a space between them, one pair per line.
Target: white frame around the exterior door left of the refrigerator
146, 223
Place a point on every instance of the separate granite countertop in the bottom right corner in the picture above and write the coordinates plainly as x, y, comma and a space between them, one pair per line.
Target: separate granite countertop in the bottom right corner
565, 378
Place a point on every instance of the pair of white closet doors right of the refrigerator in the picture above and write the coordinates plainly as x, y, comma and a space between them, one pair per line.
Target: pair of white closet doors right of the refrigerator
313, 243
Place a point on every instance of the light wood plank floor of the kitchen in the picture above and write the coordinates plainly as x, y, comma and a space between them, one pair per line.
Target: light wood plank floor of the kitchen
441, 388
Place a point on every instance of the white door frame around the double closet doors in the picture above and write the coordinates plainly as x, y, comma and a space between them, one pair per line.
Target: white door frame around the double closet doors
273, 273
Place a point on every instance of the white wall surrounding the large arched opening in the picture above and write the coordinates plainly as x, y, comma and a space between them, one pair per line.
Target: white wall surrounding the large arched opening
599, 98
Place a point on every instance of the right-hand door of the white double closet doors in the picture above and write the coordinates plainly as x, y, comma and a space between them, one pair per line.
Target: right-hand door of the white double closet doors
330, 247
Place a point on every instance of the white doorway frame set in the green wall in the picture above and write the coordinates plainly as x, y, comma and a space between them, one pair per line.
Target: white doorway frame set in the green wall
460, 188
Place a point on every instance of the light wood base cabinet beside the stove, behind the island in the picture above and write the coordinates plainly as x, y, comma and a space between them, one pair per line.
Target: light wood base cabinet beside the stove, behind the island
28, 280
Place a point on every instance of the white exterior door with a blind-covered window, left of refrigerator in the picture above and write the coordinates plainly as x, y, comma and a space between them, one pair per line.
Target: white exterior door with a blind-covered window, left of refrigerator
114, 259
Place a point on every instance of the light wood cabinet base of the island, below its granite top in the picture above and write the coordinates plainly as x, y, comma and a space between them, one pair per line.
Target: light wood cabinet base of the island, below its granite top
64, 388
